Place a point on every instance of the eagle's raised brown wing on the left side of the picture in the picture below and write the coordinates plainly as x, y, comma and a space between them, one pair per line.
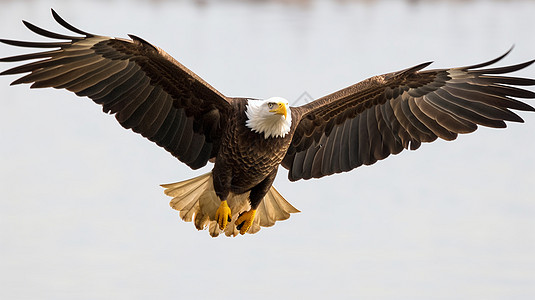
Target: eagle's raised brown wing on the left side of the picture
146, 89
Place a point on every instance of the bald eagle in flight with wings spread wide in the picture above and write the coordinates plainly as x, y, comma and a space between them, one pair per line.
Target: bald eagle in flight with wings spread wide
247, 139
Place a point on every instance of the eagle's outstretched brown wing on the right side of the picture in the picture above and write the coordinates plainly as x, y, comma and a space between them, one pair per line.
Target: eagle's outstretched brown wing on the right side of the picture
385, 114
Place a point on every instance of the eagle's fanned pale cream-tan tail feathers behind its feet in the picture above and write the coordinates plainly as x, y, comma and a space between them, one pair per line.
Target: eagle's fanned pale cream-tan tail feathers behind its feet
196, 201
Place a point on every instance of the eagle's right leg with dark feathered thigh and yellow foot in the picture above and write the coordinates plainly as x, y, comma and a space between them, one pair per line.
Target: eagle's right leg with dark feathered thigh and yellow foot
245, 219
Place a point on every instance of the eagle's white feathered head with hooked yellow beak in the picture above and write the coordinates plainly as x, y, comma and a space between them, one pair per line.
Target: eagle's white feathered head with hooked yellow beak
272, 117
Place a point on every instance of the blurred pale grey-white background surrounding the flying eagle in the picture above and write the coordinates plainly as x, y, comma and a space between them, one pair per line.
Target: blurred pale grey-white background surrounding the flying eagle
82, 215
